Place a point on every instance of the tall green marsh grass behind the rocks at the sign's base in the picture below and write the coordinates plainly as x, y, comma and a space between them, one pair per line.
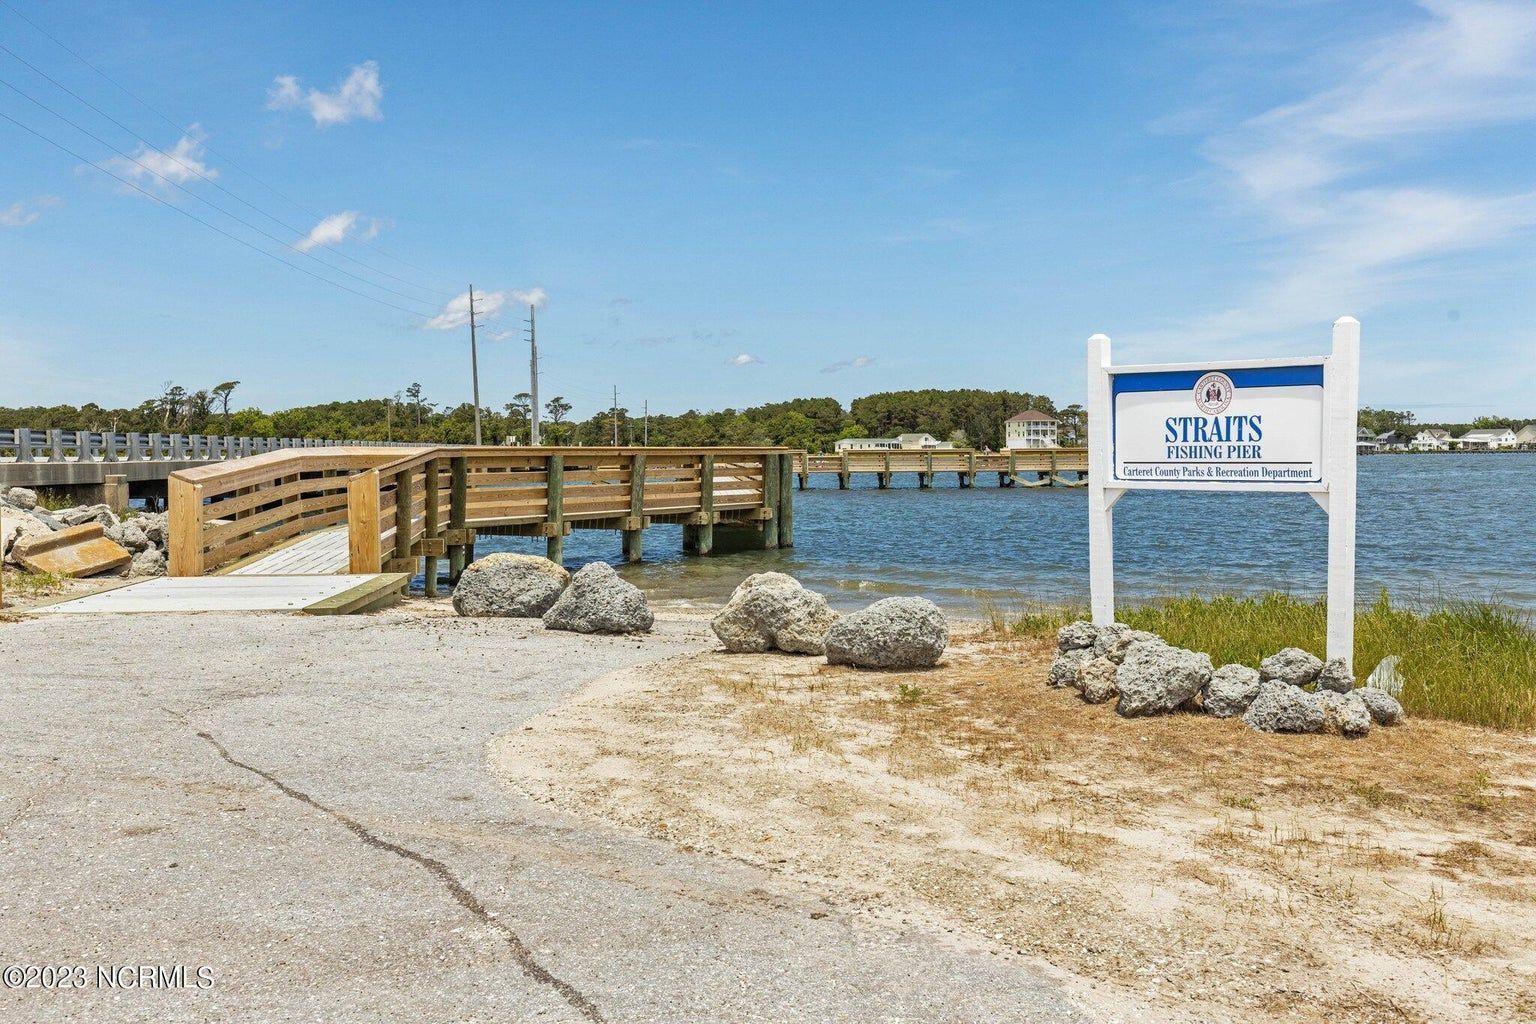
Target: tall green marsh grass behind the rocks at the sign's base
1462, 661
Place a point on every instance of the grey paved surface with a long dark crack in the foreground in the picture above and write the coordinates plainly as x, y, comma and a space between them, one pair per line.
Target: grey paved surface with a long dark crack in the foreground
302, 807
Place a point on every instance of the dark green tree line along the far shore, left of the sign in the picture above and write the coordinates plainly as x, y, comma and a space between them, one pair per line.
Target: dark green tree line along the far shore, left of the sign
965, 417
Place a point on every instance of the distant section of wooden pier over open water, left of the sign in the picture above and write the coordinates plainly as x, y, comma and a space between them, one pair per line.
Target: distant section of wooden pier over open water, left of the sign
1027, 467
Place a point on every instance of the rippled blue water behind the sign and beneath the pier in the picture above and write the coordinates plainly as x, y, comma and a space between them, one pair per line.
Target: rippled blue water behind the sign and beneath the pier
1429, 526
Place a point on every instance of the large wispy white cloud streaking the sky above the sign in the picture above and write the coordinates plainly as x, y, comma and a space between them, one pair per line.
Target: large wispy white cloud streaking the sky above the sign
1325, 174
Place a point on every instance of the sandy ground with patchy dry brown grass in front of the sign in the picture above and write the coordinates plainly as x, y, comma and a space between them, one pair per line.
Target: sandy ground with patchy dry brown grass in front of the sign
1176, 868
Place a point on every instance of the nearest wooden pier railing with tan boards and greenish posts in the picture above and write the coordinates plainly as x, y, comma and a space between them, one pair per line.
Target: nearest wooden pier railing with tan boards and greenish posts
402, 506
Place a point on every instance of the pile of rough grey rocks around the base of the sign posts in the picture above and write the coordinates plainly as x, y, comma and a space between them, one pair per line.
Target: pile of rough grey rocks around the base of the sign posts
1291, 692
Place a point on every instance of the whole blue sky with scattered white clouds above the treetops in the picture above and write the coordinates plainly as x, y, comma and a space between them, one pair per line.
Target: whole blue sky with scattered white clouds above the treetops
727, 205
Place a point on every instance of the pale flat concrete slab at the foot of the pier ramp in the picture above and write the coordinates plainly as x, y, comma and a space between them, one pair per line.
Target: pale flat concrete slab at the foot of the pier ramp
213, 593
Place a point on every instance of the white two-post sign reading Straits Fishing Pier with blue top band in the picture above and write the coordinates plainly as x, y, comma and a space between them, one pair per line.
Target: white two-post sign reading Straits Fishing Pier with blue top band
1243, 426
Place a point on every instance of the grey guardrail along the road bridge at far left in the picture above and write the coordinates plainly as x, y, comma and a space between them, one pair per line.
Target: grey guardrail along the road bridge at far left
96, 446
